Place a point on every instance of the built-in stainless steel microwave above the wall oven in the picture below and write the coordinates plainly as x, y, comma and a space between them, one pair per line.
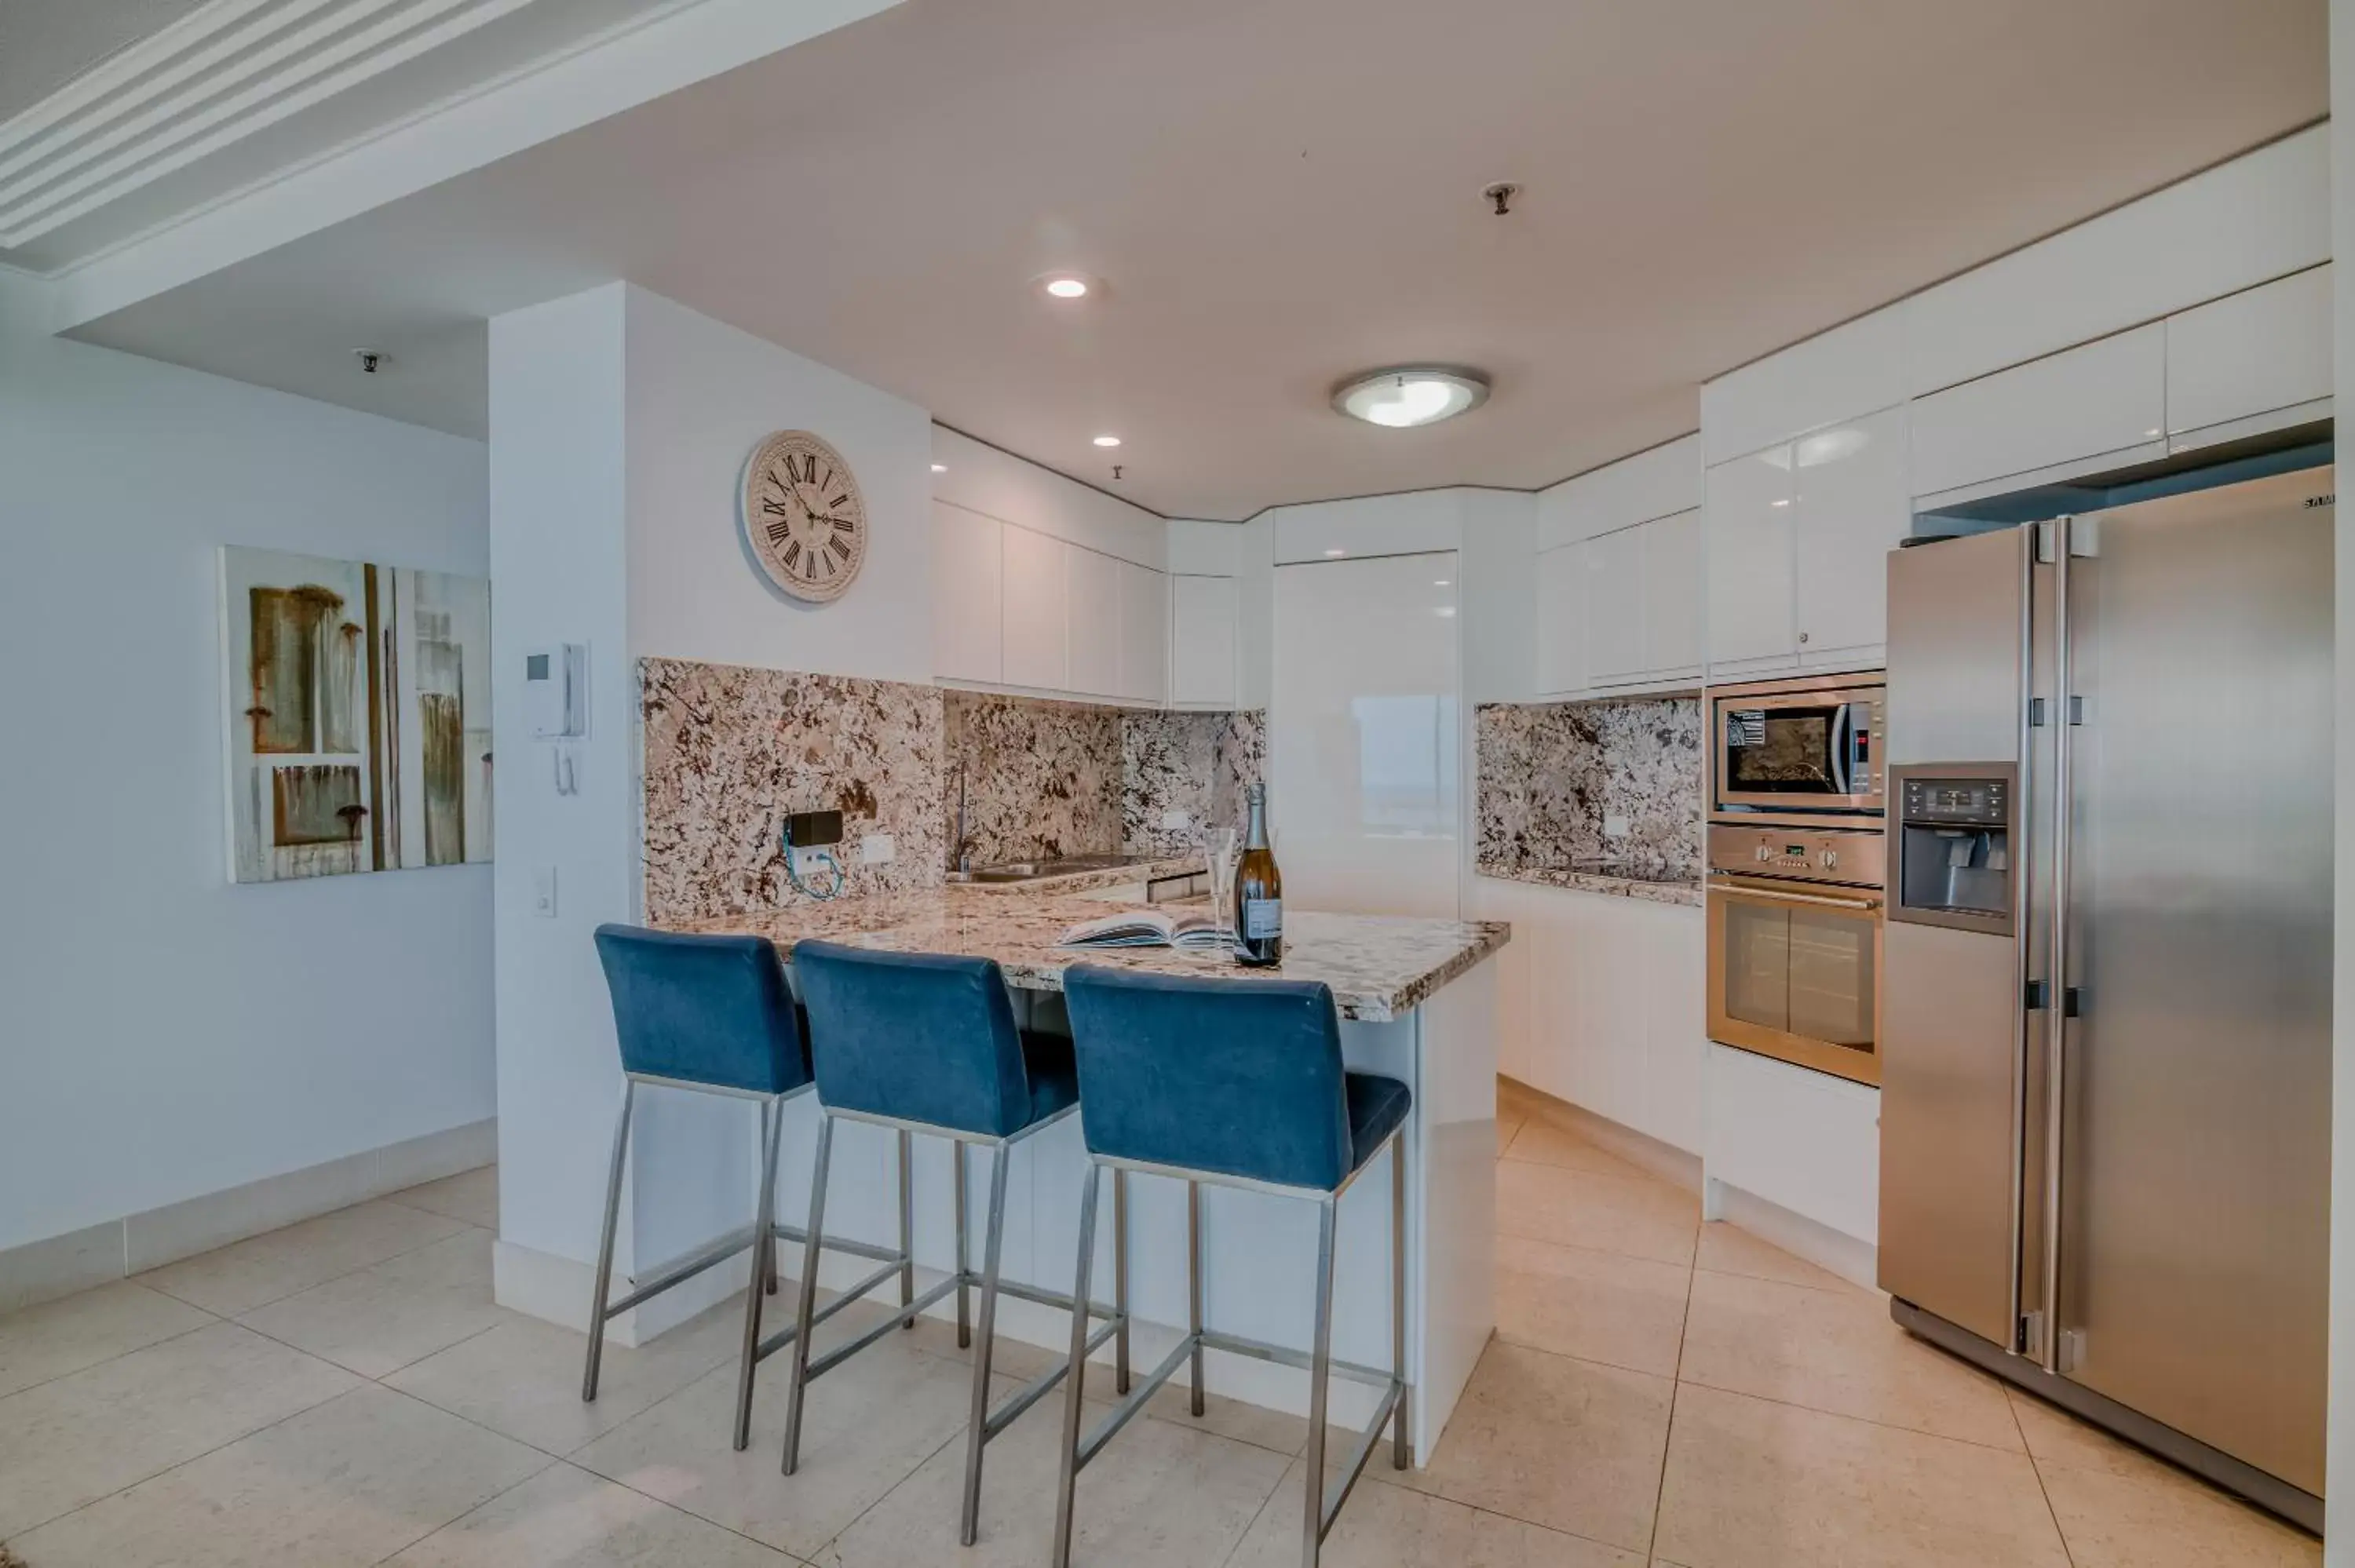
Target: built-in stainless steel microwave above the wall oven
1798, 748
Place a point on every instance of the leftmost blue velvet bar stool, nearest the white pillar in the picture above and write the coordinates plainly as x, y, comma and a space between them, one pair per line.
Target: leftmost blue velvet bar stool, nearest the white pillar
710, 1016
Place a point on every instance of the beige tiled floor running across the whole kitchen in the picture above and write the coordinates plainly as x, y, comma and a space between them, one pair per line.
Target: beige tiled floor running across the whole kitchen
1661, 1395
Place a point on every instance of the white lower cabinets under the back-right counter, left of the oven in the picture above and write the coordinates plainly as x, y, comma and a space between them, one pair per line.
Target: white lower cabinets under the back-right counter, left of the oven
1605, 1004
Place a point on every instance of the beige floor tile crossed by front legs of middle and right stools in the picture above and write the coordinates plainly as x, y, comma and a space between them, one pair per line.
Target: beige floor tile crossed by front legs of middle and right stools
1157, 1496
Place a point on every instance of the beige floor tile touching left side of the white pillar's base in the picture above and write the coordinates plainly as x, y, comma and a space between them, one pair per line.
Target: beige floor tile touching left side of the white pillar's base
397, 1313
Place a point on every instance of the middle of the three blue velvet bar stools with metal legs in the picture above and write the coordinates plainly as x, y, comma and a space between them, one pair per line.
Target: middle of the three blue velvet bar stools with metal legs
929, 1044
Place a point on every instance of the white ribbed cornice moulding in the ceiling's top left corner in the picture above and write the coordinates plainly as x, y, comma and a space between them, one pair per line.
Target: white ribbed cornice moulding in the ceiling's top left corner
225, 72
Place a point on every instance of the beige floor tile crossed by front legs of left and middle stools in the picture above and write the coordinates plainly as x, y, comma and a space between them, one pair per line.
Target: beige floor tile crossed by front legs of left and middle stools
870, 1423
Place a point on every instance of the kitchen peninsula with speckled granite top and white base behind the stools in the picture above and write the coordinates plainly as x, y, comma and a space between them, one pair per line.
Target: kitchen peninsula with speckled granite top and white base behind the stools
1417, 1002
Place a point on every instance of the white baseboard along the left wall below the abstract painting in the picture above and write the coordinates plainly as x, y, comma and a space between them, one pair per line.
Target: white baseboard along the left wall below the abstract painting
150, 1240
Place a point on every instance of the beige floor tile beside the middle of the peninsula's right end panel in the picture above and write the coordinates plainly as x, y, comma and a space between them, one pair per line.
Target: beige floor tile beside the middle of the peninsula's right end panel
1591, 1305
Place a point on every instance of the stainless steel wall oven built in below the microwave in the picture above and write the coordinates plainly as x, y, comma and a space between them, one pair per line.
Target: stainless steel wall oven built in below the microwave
1796, 943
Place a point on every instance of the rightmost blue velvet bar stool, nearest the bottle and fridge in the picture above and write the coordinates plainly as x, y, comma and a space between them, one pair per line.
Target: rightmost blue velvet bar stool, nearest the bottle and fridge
1238, 1084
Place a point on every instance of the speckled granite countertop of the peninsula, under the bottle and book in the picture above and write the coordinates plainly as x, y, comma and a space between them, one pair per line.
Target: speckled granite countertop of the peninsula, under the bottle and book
1379, 966
